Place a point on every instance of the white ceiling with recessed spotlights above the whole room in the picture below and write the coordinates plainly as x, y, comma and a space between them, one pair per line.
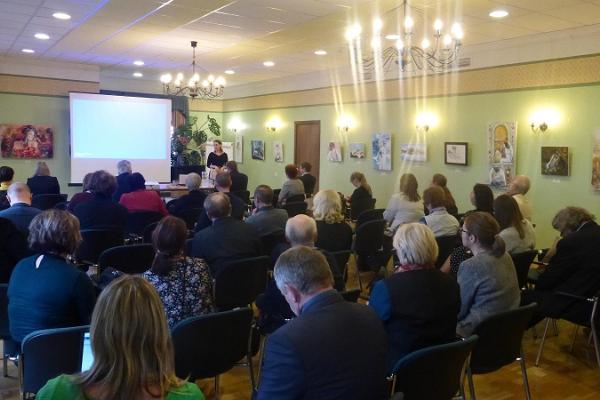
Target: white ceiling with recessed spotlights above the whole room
241, 34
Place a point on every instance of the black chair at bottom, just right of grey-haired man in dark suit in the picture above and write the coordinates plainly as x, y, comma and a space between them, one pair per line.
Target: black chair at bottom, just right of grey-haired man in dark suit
434, 372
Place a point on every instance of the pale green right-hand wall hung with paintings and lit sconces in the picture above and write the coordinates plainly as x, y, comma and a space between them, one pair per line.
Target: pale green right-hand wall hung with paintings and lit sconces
462, 118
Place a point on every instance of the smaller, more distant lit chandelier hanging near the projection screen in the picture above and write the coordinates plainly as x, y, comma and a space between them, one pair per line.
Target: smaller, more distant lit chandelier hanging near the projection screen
209, 88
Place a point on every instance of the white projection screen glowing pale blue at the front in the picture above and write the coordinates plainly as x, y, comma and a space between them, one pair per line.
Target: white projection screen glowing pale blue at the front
106, 129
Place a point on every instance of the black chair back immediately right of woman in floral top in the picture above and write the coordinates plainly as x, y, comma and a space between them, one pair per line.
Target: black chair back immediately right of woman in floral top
239, 283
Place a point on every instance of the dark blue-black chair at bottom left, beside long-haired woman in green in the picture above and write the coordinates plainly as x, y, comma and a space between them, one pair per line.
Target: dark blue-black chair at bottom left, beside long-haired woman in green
48, 353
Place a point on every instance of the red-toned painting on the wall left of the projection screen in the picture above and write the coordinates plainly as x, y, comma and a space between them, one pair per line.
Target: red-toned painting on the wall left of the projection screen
27, 141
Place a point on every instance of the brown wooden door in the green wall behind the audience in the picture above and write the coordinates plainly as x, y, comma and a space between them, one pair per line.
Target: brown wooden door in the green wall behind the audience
307, 145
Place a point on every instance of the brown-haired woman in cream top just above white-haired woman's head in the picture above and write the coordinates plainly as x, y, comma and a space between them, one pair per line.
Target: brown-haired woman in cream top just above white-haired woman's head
406, 206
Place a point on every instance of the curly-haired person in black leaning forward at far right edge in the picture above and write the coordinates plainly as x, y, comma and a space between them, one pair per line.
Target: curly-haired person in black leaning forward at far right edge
573, 269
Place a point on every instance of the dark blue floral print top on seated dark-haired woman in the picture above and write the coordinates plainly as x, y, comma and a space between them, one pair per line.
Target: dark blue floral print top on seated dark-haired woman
186, 291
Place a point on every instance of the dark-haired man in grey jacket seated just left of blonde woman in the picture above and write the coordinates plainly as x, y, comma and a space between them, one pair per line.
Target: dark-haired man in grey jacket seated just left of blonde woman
266, 219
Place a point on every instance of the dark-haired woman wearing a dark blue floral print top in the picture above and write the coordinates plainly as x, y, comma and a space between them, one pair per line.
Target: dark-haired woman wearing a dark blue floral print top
183, 283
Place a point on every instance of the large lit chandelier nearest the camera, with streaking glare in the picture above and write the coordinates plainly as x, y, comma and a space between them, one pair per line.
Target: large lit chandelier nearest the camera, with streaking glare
436, 55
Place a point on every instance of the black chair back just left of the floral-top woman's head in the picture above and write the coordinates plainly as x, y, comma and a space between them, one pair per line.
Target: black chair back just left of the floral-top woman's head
131, 259
